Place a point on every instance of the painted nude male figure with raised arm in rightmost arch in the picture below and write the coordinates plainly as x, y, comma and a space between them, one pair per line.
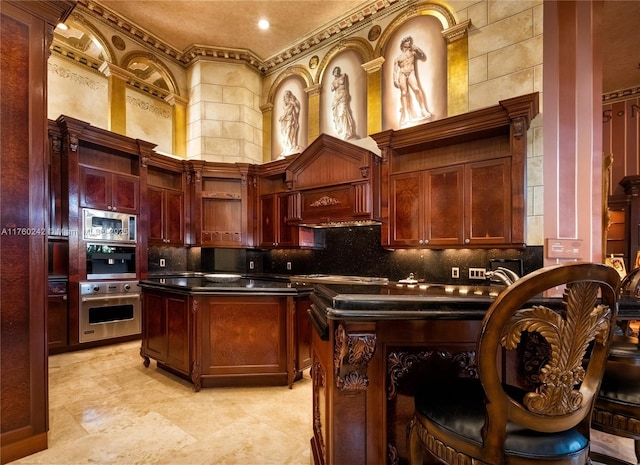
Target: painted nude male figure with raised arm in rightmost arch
405, 79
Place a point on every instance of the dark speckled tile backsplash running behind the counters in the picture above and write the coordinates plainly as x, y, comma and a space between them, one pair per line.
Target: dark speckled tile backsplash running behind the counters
349, 251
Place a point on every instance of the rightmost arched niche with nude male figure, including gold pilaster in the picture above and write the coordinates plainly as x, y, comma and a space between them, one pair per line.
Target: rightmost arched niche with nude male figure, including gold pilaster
441, 74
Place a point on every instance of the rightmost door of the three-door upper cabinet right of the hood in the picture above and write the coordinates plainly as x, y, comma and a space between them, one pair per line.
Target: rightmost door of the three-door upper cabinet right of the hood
488, 202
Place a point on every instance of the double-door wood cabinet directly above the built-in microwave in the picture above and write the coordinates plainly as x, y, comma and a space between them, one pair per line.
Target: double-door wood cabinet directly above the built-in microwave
104, 190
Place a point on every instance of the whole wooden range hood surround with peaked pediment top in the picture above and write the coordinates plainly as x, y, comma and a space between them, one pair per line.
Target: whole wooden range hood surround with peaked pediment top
333, 183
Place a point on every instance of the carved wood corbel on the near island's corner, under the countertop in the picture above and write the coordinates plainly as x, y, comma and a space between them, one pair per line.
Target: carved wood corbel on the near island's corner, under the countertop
352, 353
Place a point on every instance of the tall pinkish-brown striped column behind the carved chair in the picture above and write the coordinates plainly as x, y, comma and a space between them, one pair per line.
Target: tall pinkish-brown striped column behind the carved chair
573, 159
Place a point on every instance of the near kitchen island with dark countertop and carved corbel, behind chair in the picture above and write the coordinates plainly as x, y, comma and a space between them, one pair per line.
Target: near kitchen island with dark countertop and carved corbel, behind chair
371, 347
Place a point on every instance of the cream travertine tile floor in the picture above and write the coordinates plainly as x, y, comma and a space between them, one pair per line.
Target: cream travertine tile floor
105, 407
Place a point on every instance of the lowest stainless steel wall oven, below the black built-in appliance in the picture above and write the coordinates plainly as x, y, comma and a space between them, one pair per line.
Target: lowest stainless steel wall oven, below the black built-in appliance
109, 309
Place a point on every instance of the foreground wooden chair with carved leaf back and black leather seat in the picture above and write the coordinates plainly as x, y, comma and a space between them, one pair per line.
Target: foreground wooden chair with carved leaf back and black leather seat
497, 421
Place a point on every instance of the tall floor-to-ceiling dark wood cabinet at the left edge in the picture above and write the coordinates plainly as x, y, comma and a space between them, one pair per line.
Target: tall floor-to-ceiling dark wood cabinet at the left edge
26, 29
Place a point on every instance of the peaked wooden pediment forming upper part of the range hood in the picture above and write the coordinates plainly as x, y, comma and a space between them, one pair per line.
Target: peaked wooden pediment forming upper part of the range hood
329, 162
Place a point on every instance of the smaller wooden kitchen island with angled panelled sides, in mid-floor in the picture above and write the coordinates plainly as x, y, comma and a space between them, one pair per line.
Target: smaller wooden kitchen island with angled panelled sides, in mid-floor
236, 333
